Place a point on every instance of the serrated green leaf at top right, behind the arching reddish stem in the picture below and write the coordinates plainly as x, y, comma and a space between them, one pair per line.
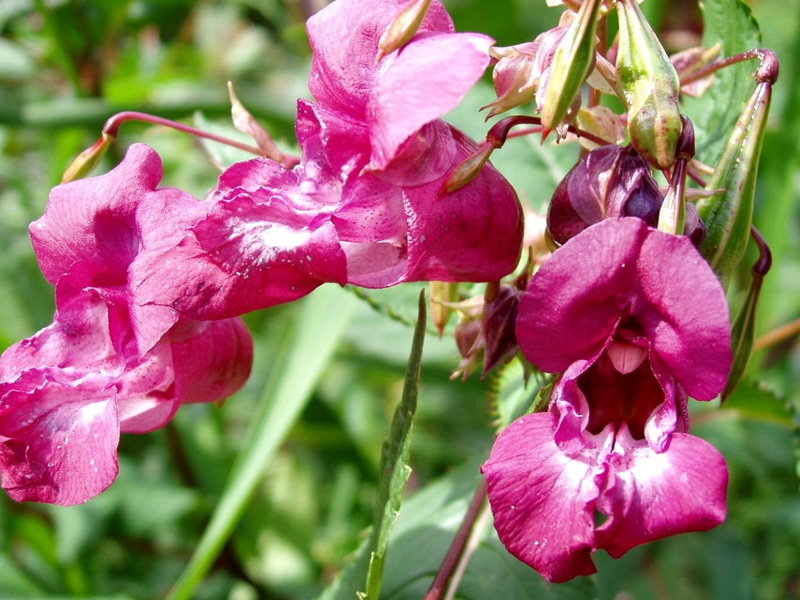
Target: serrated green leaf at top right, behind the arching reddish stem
731, 23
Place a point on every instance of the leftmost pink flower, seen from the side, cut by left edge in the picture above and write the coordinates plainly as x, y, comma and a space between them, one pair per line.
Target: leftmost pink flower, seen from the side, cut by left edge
106, 365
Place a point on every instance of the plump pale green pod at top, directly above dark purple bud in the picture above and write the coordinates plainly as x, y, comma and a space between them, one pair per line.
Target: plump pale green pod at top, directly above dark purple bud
650, 87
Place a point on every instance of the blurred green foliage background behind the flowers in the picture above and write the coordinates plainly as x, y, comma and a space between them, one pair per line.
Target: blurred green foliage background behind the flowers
67, 66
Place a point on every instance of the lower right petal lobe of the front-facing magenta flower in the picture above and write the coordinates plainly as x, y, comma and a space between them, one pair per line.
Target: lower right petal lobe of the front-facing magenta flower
656, 494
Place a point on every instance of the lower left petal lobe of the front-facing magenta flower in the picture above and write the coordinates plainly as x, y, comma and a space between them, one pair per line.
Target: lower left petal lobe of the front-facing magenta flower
542, 500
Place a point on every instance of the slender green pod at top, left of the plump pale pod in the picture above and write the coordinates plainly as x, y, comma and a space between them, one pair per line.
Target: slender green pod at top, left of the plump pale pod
572, 62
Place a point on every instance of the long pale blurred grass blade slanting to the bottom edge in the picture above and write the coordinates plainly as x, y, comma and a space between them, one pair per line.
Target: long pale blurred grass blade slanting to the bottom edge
321, 324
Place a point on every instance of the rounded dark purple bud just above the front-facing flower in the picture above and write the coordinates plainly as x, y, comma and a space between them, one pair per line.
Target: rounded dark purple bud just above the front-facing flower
612, 181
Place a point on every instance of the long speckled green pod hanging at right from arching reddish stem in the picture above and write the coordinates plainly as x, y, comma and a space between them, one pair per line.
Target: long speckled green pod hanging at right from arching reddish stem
728, 214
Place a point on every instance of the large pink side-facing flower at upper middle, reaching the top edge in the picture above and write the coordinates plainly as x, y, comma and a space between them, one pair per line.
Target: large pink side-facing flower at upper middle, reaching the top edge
363, 205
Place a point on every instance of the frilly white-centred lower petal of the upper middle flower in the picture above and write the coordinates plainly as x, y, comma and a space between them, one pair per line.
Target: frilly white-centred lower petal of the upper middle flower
252, 250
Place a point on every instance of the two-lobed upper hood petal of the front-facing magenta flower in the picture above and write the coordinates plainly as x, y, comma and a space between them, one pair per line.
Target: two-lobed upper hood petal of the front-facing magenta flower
628, 269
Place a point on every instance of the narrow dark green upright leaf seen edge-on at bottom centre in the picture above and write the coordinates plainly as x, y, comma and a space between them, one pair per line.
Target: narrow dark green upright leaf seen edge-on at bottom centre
394, 467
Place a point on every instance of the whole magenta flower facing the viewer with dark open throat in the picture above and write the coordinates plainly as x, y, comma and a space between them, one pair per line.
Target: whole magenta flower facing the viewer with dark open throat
633, 319
